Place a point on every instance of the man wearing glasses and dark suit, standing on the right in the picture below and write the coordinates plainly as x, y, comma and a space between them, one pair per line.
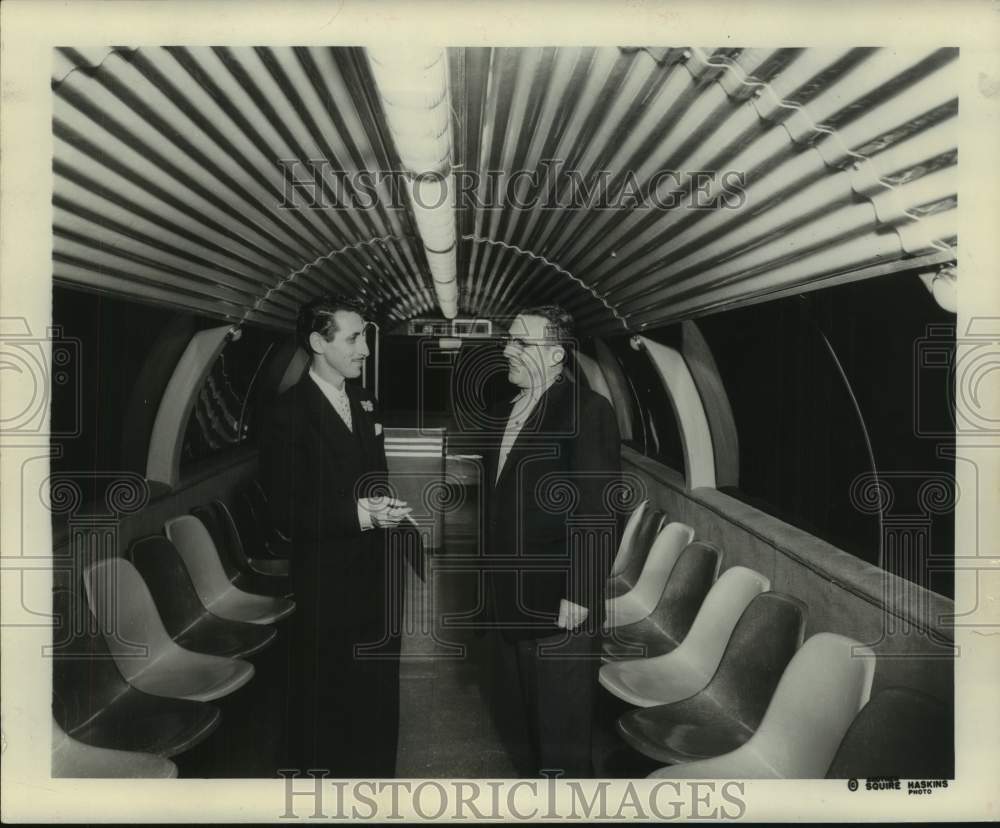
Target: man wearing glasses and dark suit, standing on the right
550, 535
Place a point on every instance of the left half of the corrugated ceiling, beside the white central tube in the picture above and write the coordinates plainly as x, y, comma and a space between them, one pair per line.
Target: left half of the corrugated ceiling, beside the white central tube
171, 182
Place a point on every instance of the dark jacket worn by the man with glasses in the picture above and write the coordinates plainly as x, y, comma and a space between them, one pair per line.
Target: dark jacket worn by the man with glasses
551, 528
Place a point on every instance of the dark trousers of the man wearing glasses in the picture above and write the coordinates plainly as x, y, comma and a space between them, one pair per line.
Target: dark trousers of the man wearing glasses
543, 696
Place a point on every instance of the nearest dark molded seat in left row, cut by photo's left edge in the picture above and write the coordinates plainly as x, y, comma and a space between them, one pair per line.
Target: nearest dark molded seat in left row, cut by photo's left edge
96, 706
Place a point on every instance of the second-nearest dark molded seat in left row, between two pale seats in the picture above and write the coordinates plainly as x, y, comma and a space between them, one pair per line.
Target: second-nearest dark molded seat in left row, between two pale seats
185, 618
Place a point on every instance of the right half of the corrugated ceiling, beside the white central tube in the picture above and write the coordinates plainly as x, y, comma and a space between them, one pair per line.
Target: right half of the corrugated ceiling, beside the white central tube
793, 122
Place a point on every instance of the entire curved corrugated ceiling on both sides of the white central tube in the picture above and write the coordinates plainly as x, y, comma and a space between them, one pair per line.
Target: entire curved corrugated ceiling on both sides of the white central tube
171, 169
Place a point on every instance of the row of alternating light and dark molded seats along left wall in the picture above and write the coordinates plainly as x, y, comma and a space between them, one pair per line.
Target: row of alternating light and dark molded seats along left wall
152, 638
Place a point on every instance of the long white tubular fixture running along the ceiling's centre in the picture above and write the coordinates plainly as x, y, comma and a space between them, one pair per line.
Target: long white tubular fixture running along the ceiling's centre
413, 87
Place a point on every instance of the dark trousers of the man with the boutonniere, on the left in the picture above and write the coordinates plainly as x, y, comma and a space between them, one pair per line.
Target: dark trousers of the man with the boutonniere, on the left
343, 704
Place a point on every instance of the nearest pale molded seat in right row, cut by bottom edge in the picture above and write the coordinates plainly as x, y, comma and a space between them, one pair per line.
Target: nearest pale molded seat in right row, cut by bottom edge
825, 685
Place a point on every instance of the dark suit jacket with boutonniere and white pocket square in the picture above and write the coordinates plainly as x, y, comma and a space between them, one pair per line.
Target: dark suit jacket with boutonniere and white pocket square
315, 470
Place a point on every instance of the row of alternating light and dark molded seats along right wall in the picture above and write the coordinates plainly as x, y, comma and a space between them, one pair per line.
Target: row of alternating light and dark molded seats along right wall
725, 684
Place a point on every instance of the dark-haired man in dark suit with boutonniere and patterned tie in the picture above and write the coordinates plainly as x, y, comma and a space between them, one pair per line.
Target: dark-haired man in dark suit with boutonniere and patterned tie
324, 465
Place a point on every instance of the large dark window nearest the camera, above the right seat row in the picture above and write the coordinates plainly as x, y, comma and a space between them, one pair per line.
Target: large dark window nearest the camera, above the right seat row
823, 394
